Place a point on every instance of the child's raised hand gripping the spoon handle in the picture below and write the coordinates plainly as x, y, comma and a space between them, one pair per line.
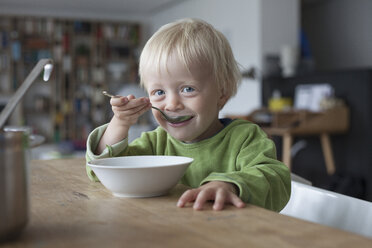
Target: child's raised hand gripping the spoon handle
128, 109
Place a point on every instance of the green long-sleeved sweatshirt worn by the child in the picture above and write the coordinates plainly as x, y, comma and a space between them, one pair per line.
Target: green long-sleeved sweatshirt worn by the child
240, 154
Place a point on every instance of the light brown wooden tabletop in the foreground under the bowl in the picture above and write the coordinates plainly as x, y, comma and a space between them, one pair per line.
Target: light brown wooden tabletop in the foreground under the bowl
67, 210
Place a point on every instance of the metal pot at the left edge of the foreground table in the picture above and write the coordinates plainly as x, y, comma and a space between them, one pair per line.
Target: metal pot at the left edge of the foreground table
14, 171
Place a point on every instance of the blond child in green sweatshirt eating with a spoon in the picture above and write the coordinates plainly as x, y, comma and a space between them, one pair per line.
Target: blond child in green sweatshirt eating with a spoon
187, 68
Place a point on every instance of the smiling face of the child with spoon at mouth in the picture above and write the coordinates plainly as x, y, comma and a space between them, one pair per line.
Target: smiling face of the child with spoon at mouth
178, 92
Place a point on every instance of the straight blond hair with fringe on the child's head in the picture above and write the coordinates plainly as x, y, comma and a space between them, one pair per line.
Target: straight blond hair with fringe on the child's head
193, 41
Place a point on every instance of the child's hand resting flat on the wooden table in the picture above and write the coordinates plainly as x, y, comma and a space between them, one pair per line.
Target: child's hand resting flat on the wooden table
220, 192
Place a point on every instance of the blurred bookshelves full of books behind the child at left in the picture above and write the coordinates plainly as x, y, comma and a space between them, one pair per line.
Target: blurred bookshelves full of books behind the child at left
89, 56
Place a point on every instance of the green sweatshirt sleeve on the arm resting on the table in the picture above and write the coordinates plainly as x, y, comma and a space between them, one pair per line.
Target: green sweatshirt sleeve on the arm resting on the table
262, 179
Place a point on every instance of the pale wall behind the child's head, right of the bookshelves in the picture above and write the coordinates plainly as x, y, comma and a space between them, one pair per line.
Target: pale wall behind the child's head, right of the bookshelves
248, 25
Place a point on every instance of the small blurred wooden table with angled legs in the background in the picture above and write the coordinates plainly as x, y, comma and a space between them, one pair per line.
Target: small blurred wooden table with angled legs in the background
292, 123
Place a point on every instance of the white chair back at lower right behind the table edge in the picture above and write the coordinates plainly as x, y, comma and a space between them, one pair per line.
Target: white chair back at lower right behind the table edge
329, 208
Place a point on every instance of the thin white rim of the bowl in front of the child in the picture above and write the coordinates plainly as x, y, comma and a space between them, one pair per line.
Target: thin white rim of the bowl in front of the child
188, 160
